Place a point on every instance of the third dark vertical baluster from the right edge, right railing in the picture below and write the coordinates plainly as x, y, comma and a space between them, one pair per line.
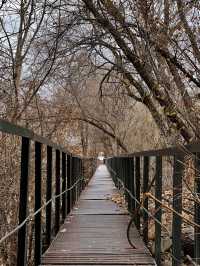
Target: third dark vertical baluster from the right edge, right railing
158, 210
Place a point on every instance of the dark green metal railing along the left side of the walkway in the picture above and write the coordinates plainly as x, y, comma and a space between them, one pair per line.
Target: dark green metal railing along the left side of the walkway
69, 183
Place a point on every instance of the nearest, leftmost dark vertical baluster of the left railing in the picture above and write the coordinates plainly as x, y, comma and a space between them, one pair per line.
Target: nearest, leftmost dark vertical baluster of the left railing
23, 198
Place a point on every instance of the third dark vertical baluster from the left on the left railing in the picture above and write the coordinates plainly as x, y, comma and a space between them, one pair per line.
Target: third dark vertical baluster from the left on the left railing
48, 195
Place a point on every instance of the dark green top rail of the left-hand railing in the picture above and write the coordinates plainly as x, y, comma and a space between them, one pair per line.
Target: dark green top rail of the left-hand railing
9, 128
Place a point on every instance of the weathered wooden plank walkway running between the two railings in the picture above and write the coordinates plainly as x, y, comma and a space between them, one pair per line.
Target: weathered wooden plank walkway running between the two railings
95, 232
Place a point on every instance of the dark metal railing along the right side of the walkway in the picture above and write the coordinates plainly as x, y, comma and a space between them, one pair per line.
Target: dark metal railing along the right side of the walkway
133, 171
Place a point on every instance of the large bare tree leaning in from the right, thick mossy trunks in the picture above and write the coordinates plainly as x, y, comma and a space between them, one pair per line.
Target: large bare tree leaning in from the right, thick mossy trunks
147, 44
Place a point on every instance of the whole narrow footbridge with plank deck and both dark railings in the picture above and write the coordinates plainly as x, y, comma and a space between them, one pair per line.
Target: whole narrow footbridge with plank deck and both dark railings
83, 226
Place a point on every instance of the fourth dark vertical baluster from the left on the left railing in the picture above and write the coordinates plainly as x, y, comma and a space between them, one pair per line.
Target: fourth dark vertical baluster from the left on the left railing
57, 200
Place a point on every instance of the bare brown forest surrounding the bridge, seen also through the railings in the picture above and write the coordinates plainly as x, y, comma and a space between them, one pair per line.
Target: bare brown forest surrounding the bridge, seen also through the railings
109, 76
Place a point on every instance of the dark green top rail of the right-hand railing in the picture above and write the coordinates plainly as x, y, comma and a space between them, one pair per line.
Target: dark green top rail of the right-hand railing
171, 151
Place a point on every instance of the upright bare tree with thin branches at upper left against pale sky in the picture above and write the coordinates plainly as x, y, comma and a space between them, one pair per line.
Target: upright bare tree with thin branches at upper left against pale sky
31, 45
